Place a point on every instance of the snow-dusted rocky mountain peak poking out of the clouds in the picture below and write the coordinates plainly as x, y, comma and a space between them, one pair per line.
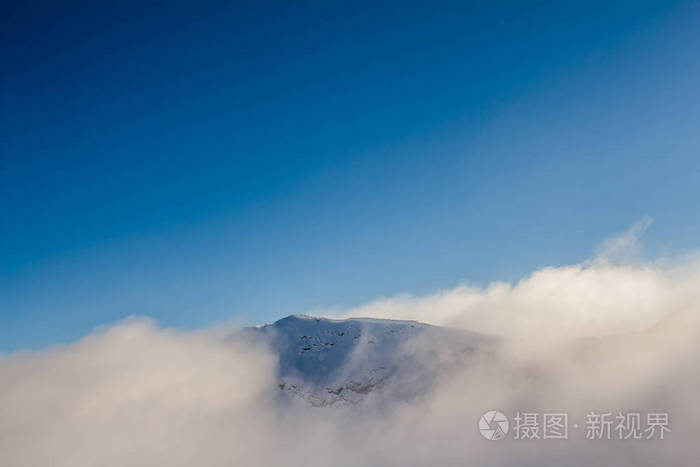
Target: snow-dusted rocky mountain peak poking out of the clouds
331, 362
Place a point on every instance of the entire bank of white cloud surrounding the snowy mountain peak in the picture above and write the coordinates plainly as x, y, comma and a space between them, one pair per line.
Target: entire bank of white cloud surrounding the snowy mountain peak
136, 395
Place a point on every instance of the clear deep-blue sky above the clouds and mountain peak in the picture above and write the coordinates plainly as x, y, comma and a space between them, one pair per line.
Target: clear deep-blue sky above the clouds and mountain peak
213, 161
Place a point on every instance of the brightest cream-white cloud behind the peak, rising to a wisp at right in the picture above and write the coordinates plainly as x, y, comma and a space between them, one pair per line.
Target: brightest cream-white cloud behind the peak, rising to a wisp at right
614, 292
